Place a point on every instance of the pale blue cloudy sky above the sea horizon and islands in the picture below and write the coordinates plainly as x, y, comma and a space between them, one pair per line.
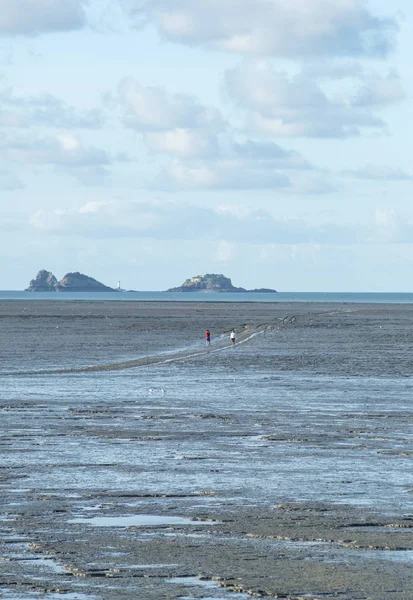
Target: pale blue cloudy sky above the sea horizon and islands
148, 141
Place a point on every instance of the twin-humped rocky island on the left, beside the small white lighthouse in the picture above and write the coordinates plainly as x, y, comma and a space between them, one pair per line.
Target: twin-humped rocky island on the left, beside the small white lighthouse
45, 281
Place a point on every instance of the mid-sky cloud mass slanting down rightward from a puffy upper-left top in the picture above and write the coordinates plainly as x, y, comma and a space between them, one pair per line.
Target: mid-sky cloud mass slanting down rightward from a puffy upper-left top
180, 126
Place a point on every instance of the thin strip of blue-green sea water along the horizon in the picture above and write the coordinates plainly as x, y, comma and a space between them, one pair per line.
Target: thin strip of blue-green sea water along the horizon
359, 297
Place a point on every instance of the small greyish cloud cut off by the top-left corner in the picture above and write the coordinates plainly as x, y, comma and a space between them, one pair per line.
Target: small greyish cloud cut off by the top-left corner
32, 17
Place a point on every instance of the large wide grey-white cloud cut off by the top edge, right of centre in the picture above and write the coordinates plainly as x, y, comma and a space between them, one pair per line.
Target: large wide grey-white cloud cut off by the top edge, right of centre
294, 28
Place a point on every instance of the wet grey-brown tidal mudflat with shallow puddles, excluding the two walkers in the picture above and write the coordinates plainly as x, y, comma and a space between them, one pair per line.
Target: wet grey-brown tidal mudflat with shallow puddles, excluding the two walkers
138, 463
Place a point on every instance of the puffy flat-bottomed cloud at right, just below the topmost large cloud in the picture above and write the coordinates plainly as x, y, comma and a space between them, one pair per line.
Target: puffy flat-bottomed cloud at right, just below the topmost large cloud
277, 103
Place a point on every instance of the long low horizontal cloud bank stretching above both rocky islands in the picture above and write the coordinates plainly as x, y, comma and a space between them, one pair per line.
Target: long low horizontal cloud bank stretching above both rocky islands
183, 221
